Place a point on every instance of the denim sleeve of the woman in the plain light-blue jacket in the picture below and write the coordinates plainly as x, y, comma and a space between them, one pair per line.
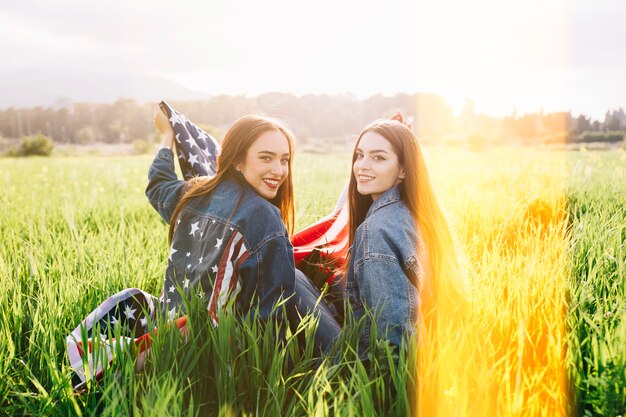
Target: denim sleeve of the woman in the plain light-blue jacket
386, 289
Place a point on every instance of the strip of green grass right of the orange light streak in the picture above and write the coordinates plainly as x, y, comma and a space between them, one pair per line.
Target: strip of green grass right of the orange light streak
597, 289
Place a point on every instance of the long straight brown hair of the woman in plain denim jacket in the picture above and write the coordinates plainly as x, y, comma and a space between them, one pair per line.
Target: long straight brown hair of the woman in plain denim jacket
418, 195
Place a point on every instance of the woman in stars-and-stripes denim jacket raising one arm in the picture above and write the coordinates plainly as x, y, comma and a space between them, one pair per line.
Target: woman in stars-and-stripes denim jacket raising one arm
229, 234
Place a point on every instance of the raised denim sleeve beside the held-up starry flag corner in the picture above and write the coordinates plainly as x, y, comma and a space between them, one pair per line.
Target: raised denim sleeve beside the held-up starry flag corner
164, 190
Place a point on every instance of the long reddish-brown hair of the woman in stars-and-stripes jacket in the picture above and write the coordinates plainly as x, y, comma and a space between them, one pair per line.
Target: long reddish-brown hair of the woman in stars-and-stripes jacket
237, 140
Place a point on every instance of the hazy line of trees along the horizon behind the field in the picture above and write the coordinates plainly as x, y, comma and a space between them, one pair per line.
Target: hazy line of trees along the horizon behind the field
313, 116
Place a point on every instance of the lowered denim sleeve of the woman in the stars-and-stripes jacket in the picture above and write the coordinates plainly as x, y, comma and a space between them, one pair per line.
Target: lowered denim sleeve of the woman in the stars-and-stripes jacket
273, 276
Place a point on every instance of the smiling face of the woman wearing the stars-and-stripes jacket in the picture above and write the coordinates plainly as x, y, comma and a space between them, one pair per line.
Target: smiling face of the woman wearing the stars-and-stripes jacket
266, 164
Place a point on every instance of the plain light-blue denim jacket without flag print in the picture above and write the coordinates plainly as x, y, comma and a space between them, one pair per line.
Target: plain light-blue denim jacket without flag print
385, 271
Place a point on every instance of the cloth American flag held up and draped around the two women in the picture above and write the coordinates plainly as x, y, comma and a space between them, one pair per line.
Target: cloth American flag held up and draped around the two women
318, 250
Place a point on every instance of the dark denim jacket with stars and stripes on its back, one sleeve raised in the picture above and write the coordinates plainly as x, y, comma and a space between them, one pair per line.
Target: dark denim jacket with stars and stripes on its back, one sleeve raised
232, 243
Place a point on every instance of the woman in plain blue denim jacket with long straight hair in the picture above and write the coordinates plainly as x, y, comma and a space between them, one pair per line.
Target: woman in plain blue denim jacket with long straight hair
401, 248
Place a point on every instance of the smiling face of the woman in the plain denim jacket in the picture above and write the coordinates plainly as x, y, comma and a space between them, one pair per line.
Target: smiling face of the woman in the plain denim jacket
376, 166
